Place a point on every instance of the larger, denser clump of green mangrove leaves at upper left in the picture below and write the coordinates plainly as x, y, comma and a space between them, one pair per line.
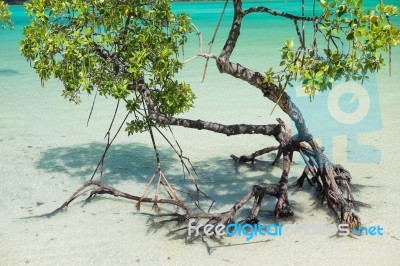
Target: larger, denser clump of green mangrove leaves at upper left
112, 47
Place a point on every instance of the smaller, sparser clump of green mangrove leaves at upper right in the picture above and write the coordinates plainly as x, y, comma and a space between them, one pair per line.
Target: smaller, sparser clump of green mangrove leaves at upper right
352, 41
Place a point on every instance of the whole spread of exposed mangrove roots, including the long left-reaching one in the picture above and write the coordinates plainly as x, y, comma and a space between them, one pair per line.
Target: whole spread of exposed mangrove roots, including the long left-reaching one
328, 178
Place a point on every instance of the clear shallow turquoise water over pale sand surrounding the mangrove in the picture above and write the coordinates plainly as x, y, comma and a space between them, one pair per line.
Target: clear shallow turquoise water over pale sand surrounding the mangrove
47, 151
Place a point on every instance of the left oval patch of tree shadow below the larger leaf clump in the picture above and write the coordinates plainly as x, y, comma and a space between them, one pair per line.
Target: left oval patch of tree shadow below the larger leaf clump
123, 161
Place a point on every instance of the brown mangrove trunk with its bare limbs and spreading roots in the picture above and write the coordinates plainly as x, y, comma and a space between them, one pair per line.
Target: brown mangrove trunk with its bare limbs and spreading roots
327, 177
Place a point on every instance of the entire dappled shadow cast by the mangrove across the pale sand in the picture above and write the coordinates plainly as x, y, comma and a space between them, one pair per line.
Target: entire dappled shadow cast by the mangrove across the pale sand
222, 180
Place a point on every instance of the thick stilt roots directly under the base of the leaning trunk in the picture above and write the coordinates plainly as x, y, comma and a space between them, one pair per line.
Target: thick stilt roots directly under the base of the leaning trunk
328, 178
